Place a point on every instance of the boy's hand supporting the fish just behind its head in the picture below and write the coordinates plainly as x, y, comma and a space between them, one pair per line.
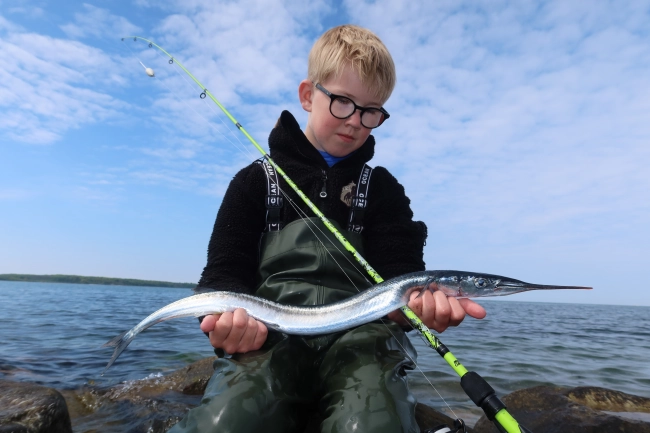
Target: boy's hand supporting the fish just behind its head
439, 312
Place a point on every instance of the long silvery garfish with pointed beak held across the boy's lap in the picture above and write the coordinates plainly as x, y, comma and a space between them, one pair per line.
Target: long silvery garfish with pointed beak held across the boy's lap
365, 307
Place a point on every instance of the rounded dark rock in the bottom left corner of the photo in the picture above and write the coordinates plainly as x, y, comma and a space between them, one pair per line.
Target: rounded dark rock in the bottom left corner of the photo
29, 408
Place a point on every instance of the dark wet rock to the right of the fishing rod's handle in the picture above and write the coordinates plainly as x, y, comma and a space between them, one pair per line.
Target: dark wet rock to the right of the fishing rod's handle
546, 409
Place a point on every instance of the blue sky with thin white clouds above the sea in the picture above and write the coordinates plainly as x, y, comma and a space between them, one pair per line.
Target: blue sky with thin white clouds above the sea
519, 129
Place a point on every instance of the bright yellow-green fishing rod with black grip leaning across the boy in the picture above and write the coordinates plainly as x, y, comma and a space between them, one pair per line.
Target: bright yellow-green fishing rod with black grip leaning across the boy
477, 388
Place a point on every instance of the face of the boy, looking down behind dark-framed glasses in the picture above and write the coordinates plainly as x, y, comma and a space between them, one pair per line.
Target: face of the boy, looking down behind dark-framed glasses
338, 137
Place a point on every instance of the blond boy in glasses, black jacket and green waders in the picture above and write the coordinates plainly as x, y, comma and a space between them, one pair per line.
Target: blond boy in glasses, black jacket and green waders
355, 379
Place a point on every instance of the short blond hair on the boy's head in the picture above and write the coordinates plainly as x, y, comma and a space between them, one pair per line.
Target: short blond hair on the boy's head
359, 48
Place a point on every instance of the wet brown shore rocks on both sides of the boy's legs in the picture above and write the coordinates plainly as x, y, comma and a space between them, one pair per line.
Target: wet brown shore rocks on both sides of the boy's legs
159, 402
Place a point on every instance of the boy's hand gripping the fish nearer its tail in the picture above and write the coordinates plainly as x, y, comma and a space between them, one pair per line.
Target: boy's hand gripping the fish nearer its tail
235, 332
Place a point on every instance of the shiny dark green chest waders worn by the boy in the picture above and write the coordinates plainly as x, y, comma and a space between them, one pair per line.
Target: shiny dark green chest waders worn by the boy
353, 381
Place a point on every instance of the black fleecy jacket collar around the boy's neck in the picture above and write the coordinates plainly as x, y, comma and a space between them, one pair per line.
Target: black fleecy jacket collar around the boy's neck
287, 139
